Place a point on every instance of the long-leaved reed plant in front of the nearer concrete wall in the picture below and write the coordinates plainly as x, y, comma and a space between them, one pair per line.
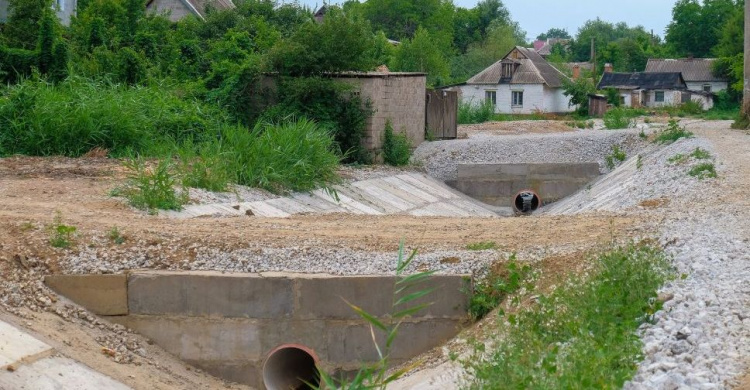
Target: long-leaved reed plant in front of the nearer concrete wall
407, 294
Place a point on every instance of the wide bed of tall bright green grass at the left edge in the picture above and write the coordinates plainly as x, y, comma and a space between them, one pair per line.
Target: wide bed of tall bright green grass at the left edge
76, 116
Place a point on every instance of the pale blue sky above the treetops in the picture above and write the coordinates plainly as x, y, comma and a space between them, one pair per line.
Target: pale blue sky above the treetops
537, 16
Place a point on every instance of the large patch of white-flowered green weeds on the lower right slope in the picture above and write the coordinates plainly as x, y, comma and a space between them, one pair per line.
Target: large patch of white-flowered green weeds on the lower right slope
582, 335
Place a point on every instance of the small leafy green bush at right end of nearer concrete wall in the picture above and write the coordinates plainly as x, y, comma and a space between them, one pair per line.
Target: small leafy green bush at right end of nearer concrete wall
490, 292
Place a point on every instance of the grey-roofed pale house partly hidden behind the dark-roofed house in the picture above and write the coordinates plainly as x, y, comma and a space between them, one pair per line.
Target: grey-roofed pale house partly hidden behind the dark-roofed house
697, 72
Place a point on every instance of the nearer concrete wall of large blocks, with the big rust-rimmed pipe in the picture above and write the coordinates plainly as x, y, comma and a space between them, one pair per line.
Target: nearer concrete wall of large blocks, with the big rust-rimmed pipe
267, 330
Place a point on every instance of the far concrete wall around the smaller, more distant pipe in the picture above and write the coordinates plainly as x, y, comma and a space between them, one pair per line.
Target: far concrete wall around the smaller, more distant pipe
496, 184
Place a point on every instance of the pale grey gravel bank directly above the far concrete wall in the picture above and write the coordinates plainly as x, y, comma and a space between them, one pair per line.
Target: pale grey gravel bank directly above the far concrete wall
441, 158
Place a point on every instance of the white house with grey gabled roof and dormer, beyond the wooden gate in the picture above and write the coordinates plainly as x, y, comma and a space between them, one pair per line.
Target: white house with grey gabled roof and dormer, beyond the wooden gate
522, 82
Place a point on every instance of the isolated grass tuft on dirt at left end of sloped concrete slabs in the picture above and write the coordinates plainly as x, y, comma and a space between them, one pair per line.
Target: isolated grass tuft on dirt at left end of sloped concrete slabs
152, 188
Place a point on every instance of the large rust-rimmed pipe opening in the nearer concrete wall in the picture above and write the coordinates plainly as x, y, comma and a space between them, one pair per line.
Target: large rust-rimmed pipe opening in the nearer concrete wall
290, 366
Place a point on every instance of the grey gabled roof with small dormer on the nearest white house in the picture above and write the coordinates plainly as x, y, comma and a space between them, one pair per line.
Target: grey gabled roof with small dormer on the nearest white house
531, 69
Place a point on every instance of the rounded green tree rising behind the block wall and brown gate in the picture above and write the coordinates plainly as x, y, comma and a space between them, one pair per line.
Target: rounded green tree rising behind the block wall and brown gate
422, 54
